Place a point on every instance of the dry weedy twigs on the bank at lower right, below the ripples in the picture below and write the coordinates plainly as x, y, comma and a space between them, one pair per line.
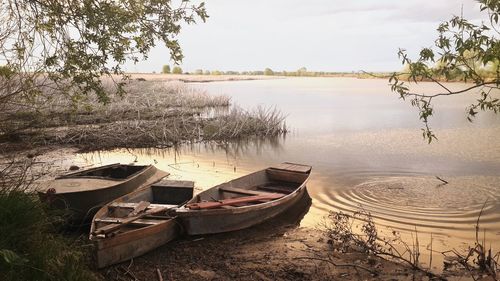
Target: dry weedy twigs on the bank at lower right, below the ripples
358, 232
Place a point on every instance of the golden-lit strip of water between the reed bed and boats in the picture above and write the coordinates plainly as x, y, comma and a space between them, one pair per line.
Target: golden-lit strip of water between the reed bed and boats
207, 164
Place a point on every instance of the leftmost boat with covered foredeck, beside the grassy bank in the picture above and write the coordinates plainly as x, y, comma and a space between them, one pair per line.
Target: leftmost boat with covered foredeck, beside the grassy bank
83, 193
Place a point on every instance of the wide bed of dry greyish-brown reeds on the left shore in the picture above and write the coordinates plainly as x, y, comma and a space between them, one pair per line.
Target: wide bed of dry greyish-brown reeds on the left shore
151, 114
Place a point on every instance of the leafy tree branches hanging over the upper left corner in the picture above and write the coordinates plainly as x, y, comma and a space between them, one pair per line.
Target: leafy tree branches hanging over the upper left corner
74, 43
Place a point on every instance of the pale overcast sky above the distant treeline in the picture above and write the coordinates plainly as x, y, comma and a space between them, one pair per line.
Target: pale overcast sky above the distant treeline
321, 35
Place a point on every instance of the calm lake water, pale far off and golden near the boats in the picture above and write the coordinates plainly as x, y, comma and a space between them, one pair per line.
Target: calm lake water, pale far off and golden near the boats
367, 151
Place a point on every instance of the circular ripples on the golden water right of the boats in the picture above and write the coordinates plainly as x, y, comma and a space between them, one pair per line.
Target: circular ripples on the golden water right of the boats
405, 202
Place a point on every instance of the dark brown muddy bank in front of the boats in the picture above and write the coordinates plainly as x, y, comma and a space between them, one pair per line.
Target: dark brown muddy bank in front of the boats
255, 254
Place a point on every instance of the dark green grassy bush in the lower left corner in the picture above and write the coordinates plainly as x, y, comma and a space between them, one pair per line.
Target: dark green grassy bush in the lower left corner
30, 246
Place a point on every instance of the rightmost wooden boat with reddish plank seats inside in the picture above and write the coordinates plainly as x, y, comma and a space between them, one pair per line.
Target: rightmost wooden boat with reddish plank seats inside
245, 201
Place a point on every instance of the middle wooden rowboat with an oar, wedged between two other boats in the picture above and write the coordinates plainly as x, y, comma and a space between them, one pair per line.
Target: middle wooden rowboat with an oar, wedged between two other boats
138, 222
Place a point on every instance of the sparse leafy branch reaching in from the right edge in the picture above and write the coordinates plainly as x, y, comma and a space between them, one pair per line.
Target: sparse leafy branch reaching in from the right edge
463, 51
